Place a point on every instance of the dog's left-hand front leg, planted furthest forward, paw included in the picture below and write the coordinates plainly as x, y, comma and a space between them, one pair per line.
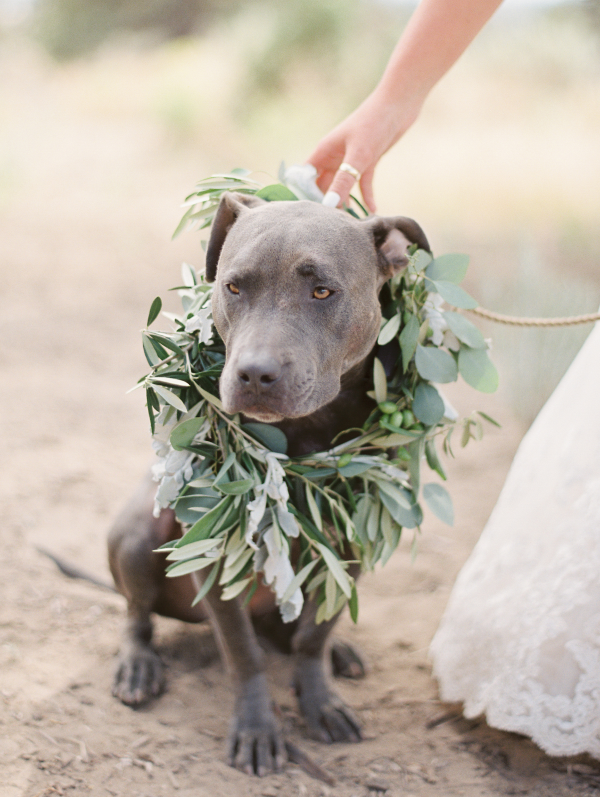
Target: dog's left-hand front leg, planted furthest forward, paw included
255, 742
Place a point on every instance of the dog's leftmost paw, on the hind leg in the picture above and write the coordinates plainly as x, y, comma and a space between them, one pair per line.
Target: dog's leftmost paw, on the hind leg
139, 676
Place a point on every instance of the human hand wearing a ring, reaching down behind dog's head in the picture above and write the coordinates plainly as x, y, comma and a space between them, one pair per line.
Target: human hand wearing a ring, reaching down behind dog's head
359, 142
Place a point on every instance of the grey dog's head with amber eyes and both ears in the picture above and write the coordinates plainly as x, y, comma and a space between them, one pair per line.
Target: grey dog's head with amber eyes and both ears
296, 298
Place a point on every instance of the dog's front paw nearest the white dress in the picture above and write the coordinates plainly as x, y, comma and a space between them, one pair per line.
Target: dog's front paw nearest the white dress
327, 717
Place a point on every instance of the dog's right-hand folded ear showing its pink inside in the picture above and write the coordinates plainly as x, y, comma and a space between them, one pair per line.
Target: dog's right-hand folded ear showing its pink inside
391, 237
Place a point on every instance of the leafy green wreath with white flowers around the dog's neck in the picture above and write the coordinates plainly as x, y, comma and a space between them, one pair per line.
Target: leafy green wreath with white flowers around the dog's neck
241, 499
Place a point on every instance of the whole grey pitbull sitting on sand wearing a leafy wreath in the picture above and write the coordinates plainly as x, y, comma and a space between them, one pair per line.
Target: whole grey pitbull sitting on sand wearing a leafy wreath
296, 303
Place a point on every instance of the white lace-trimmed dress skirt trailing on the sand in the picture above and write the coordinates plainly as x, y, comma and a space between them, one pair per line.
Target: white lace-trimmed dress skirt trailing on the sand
520, 638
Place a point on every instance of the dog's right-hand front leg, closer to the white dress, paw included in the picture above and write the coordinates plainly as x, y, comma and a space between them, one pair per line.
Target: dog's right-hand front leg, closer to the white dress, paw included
327, 717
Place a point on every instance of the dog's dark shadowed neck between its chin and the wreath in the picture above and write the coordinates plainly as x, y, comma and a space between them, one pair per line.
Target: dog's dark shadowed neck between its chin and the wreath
349, 410
